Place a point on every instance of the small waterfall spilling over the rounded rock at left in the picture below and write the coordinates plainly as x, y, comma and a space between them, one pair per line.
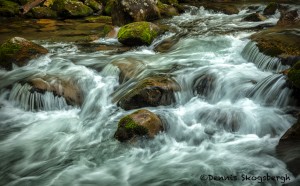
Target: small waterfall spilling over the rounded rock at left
24, 96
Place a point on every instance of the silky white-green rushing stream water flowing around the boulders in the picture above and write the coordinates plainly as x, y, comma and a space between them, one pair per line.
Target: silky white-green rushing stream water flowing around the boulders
232, 109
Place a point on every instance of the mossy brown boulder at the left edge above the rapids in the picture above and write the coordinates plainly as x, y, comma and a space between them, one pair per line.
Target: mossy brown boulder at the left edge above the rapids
19, 51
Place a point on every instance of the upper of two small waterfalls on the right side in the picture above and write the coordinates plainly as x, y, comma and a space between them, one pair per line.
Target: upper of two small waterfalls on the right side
251, 53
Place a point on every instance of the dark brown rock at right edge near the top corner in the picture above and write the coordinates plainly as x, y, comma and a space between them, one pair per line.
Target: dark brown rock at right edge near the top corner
289, 18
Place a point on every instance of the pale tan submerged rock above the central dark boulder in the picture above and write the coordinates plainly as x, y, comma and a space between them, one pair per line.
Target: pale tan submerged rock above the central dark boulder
129, 68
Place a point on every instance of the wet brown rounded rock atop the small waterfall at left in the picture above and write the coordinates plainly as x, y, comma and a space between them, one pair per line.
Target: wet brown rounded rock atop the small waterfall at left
59, 87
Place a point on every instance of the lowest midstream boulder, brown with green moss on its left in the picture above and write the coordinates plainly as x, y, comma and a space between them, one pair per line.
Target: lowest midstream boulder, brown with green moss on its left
139, 123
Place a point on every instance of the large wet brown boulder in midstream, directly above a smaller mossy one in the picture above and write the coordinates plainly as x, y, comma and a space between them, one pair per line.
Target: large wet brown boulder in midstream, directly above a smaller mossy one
150, 92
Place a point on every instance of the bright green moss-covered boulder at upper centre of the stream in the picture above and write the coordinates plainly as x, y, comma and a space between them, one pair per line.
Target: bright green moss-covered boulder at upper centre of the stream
138, 33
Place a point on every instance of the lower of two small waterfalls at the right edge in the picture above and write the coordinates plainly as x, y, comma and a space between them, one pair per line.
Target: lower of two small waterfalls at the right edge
272, 90
